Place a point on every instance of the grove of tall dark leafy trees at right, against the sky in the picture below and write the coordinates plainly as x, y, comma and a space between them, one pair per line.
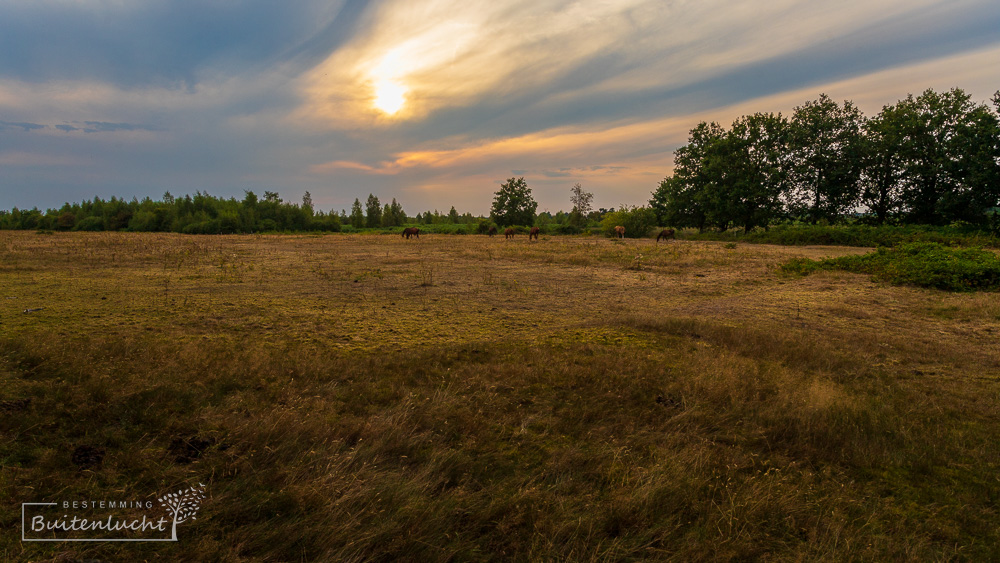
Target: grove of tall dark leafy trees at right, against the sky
933, 159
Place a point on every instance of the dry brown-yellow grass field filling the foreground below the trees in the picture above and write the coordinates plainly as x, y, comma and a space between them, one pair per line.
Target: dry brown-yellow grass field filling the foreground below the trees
466, 398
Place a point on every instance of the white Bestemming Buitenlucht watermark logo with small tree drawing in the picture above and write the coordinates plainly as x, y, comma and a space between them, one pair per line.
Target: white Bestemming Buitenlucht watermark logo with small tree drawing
104, 520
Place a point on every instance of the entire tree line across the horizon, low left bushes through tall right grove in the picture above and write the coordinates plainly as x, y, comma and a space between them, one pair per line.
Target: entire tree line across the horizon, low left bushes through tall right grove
933, 159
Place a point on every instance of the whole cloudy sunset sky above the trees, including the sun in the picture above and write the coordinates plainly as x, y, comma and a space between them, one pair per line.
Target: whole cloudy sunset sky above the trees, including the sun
436, 102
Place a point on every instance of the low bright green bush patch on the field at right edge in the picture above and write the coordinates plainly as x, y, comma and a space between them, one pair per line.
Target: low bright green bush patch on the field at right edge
923, 264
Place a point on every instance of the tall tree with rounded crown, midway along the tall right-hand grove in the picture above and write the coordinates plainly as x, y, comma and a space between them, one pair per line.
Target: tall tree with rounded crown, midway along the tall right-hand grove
825, 167
